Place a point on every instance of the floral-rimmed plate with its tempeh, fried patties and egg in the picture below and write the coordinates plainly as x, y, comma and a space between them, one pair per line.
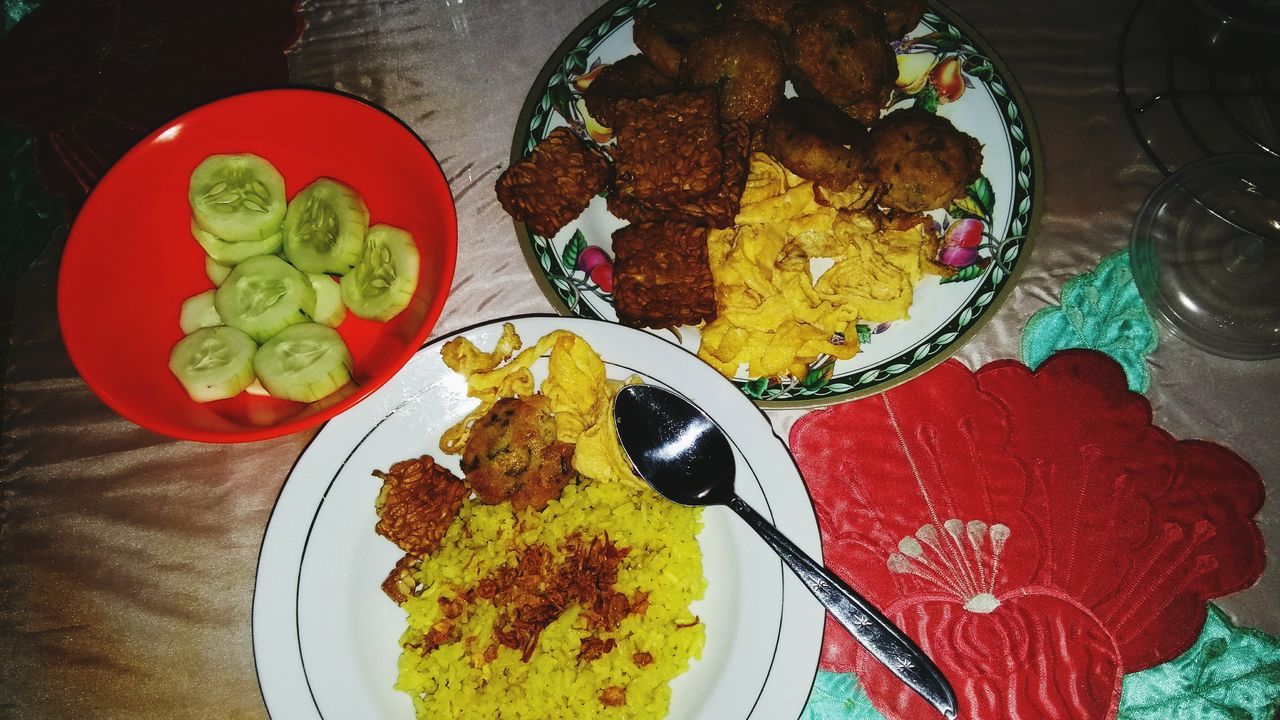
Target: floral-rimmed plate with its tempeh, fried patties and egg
819, 198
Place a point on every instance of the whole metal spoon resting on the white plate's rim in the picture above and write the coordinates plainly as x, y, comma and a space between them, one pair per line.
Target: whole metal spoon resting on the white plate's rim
685, 457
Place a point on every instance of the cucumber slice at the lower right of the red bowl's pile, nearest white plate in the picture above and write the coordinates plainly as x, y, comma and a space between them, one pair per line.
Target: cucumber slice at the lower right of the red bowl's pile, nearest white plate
304, 363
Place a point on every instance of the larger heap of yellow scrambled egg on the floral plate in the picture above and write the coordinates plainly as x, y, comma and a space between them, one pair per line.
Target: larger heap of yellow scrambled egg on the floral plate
774, 316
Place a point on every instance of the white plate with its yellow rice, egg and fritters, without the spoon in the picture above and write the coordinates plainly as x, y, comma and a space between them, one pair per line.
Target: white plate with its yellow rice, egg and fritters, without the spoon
472, 543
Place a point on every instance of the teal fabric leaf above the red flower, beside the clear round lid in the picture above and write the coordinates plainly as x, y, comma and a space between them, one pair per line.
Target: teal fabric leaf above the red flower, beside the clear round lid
1099, 311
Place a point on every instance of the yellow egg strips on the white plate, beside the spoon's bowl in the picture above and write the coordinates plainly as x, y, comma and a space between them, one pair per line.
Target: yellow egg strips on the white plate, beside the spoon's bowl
578, 393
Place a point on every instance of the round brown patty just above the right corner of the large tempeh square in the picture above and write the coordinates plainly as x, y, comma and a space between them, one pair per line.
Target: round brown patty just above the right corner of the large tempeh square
744, 65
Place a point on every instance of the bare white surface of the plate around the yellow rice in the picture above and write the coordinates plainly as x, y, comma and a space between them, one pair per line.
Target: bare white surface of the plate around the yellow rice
326, 639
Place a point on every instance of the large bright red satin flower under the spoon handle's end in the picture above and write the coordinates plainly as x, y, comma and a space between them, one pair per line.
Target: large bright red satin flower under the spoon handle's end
1034, 532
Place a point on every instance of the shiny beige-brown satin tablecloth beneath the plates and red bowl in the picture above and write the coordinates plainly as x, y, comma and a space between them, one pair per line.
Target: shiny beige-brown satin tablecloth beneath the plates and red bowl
127, 560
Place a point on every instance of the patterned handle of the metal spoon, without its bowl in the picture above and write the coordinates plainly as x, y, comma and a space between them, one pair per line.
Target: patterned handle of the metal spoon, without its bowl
862, 619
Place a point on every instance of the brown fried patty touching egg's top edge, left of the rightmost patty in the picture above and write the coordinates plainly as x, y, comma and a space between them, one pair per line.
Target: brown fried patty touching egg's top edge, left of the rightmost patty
819, 143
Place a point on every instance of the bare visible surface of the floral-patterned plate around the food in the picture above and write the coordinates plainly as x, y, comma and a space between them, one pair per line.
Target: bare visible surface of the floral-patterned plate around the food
989, 234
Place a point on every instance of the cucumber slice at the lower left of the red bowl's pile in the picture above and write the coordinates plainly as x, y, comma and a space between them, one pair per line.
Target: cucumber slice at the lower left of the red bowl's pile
214, 363
